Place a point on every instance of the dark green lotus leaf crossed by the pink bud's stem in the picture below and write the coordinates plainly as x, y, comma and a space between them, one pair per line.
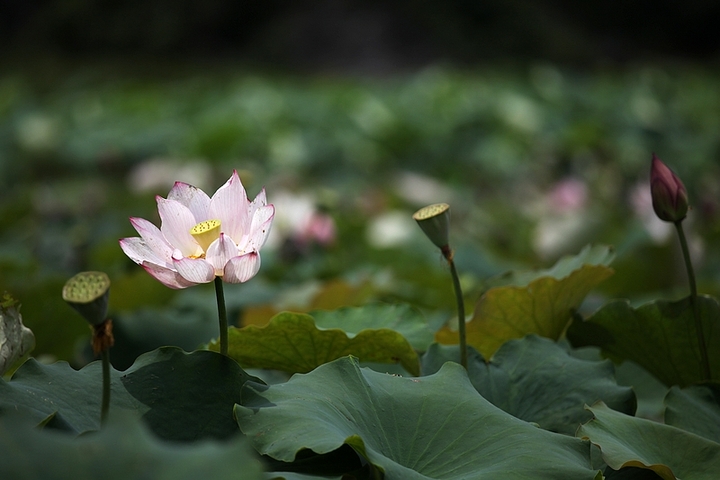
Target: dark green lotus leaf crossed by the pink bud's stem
660, 336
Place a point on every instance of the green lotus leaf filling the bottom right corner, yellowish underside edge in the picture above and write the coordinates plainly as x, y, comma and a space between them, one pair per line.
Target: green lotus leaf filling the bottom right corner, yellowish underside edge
635, 442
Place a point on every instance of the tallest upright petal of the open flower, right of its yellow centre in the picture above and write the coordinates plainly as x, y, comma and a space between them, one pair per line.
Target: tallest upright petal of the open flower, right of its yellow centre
230, 205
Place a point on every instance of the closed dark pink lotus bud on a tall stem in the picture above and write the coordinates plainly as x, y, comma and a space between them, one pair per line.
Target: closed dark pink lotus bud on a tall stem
668, 193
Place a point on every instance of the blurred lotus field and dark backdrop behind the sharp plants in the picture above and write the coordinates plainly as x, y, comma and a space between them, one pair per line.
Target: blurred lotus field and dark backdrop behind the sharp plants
535, 120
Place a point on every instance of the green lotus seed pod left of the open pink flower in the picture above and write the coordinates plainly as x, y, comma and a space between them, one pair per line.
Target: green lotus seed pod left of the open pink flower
87, 292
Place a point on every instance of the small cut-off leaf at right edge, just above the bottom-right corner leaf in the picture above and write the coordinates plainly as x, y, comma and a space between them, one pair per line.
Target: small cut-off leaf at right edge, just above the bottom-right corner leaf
695, 409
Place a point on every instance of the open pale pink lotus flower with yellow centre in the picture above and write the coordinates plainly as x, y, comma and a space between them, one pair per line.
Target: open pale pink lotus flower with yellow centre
201, 238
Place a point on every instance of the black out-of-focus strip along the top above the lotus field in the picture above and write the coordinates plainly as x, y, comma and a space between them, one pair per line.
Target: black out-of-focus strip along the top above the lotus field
367, 36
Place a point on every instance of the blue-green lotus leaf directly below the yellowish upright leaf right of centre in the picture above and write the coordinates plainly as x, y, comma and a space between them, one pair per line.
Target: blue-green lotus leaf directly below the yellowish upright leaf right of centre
536, 380
